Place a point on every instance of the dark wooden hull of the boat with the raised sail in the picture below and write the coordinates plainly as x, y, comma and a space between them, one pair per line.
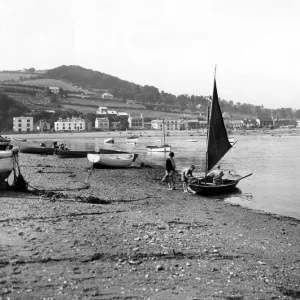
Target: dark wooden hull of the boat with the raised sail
209, 188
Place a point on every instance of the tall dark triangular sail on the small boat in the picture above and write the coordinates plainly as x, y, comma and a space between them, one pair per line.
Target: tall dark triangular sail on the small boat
218, 143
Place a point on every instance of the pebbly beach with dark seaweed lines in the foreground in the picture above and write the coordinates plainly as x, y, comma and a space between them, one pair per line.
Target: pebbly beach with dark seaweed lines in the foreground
137, 240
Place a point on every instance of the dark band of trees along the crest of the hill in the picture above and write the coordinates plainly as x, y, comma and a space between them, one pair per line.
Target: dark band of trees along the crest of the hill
151, 97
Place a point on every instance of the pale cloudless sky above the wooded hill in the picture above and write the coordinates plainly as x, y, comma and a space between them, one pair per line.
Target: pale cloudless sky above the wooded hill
170, 44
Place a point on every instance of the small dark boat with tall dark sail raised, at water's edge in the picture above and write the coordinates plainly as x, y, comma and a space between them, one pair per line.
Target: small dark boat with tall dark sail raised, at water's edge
217, 146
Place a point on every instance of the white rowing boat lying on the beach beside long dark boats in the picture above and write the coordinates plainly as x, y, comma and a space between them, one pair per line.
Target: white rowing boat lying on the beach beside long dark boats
120, 160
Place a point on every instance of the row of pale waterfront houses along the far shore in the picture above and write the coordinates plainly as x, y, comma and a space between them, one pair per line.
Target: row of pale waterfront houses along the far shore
112, 120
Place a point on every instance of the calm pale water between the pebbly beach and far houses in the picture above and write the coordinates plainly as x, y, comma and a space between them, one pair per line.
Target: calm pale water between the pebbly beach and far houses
273, 160
